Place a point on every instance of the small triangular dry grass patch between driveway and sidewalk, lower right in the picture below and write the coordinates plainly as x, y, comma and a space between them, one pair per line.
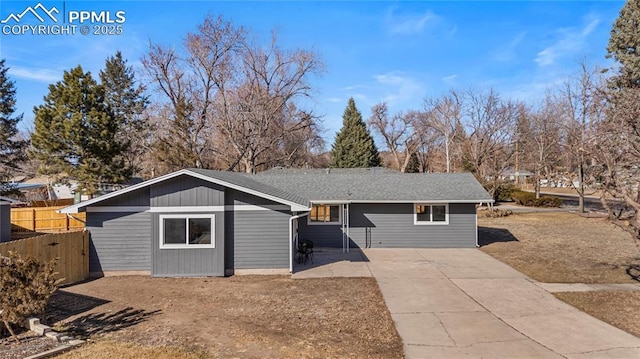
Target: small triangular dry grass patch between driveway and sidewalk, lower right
618, 308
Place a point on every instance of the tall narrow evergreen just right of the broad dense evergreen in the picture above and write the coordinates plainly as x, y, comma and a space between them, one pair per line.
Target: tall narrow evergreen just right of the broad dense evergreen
127, 102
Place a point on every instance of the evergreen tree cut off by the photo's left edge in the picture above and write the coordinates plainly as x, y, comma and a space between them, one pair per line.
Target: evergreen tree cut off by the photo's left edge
12, 148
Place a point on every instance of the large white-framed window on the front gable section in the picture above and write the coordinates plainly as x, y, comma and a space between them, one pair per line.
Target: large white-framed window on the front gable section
187, 231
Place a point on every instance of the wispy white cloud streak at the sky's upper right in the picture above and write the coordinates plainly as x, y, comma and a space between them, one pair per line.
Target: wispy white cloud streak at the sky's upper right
569, 41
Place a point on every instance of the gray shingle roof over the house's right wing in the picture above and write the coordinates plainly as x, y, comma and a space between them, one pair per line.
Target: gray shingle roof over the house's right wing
376, 185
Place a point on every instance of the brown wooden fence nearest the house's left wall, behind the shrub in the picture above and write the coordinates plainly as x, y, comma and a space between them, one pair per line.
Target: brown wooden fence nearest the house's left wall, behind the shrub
71, 249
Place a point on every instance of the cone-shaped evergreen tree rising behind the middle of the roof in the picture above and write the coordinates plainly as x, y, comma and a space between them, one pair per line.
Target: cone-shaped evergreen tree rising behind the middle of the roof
354, 146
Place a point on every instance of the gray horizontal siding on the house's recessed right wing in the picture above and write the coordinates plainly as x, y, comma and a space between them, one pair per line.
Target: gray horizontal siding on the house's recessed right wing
392, 226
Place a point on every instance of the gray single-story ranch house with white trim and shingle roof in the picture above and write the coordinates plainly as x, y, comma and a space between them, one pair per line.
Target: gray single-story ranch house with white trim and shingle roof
197, 222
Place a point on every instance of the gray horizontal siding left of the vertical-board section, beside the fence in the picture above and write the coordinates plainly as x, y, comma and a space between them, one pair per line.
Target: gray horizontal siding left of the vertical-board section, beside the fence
119, 241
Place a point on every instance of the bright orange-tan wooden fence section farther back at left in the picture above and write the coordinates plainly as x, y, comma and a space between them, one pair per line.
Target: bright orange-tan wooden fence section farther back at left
44, 219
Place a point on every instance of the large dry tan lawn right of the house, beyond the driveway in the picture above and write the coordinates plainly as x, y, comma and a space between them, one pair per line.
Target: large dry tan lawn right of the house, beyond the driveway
561, 247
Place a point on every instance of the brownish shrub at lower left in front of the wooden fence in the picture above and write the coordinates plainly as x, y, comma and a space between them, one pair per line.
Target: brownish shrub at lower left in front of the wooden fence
26, 286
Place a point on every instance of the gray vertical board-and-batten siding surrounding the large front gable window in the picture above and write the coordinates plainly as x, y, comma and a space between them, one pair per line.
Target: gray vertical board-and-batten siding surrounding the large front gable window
186, 191
